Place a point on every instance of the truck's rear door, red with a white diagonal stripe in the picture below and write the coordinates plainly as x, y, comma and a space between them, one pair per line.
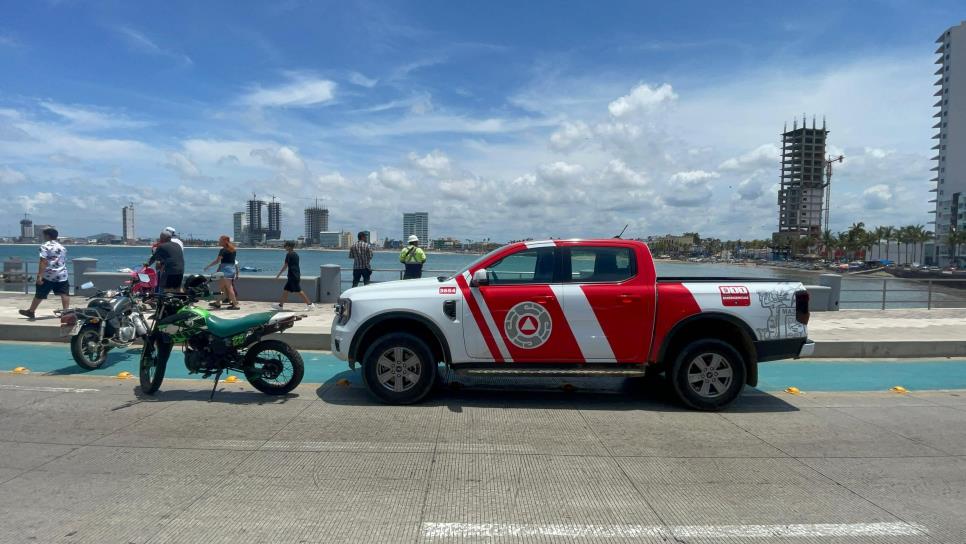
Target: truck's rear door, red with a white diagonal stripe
608, 301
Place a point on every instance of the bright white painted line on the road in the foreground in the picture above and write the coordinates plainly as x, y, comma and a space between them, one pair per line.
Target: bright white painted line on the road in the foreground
805, 530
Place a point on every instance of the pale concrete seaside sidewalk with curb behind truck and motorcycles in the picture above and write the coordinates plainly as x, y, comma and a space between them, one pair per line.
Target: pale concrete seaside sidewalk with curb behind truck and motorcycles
843, 334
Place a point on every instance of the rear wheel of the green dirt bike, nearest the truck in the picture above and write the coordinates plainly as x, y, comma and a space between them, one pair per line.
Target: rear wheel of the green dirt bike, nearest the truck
273, 367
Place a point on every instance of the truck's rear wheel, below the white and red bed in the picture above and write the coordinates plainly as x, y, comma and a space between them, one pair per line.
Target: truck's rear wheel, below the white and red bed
708, 374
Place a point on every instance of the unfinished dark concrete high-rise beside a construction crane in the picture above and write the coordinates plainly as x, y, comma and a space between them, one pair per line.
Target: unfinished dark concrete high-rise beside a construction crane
801, 195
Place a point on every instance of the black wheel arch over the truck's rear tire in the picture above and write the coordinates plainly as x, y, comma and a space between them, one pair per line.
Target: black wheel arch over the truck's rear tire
713, 325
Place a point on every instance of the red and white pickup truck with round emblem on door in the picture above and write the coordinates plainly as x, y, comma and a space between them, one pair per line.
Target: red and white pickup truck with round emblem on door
571, 308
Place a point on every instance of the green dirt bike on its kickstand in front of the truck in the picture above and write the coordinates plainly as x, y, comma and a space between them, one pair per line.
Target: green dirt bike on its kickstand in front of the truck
213, 345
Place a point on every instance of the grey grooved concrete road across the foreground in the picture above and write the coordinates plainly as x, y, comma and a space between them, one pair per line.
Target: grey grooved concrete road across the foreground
86, 459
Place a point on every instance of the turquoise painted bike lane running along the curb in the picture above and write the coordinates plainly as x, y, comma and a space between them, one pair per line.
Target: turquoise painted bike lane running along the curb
321, 367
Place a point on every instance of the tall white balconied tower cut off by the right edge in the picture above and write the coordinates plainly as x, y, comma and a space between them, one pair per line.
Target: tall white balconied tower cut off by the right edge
950, 139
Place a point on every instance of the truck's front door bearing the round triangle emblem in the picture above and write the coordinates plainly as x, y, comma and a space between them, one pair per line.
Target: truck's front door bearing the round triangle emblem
518, 316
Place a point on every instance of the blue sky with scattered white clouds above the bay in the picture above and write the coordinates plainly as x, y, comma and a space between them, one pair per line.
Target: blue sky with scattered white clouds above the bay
502, 119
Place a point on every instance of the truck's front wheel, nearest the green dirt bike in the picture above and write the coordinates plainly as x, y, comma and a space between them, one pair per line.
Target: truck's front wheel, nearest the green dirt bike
398, 368
